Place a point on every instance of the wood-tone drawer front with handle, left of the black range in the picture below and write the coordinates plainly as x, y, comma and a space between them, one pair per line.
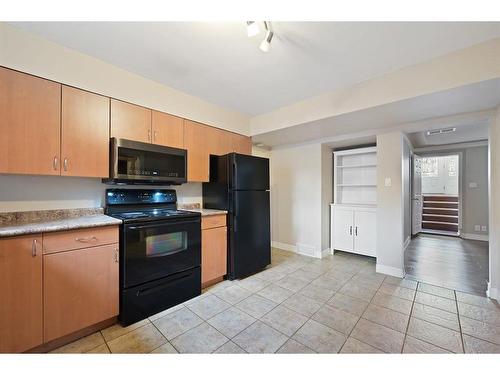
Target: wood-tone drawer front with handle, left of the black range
79, 239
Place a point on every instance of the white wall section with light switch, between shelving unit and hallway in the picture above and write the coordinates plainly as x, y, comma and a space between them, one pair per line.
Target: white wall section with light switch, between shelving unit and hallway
390, 256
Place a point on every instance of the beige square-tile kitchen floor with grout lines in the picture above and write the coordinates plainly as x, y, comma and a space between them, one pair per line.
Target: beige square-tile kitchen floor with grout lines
338, 304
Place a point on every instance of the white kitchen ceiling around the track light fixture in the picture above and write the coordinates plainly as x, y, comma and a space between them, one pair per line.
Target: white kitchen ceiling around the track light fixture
217, 62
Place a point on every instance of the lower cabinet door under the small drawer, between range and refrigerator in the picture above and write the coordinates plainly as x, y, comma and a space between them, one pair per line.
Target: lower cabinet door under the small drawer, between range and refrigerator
213, 253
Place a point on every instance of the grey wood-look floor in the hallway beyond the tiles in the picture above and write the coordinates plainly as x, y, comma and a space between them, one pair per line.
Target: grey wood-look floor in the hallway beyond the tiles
450, 262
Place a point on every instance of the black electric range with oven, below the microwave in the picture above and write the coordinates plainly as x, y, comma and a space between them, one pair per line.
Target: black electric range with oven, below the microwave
160, 251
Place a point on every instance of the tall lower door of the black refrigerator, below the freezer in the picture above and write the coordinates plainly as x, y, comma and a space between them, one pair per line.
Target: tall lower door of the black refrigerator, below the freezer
249, 233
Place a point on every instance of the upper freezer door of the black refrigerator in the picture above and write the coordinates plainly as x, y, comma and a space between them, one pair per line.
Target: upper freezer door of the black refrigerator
248, 172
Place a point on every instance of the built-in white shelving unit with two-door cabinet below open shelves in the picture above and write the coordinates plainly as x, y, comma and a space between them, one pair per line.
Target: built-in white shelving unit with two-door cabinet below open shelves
354, 211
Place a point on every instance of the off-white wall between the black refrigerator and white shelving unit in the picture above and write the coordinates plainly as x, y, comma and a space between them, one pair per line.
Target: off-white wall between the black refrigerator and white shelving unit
300, 197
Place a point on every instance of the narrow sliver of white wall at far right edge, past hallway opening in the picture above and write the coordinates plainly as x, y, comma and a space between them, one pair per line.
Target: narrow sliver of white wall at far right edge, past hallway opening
494, 200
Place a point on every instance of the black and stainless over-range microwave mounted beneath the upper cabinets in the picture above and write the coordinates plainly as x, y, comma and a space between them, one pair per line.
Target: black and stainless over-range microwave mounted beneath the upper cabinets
132, 162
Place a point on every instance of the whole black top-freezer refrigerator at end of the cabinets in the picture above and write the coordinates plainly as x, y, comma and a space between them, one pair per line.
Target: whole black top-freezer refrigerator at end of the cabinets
239, 184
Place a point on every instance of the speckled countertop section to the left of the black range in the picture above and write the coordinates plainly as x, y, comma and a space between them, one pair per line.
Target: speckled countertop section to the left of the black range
28, 222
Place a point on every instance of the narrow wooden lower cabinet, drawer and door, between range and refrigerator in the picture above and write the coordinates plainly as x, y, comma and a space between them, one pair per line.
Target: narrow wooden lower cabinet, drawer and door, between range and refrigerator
213, 249
